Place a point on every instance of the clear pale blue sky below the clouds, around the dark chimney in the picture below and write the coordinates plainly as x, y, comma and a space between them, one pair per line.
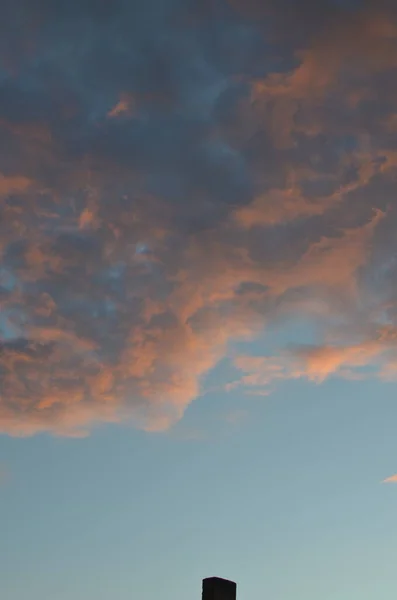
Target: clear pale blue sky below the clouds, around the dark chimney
288, 502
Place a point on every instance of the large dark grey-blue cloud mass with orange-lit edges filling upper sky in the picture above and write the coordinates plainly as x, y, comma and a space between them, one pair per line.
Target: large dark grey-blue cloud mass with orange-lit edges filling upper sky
174, 179
